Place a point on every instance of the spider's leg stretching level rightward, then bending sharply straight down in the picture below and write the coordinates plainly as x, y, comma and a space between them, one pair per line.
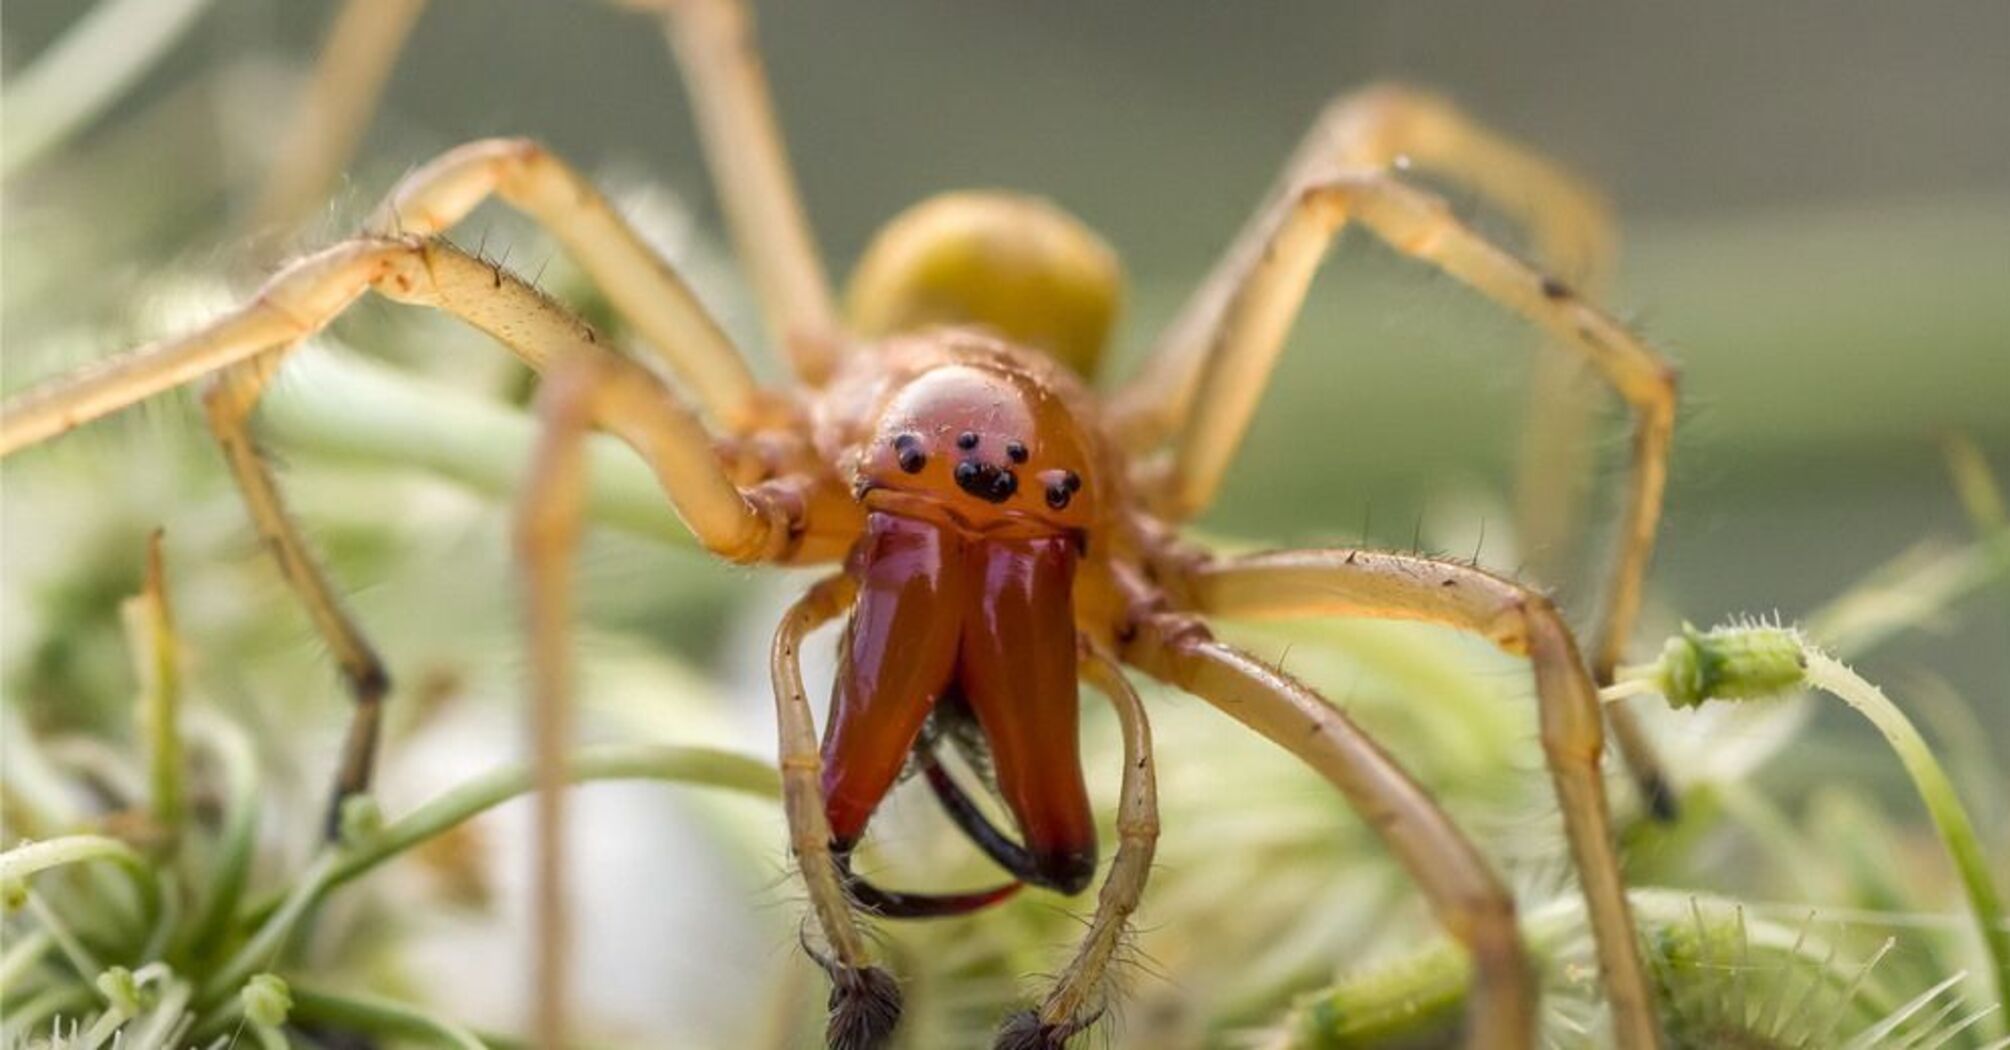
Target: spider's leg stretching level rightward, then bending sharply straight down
1340, 582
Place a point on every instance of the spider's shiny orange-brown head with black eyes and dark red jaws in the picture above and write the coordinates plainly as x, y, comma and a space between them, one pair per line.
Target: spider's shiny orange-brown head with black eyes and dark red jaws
978, 518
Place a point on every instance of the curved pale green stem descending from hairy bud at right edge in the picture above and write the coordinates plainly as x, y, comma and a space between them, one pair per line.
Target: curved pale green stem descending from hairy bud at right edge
1941, 800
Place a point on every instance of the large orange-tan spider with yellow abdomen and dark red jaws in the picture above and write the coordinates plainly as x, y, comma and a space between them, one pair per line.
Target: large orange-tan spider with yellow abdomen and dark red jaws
998, 530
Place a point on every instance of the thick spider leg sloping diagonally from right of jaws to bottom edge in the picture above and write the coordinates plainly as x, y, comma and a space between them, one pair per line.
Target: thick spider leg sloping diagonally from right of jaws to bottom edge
1462, 890
